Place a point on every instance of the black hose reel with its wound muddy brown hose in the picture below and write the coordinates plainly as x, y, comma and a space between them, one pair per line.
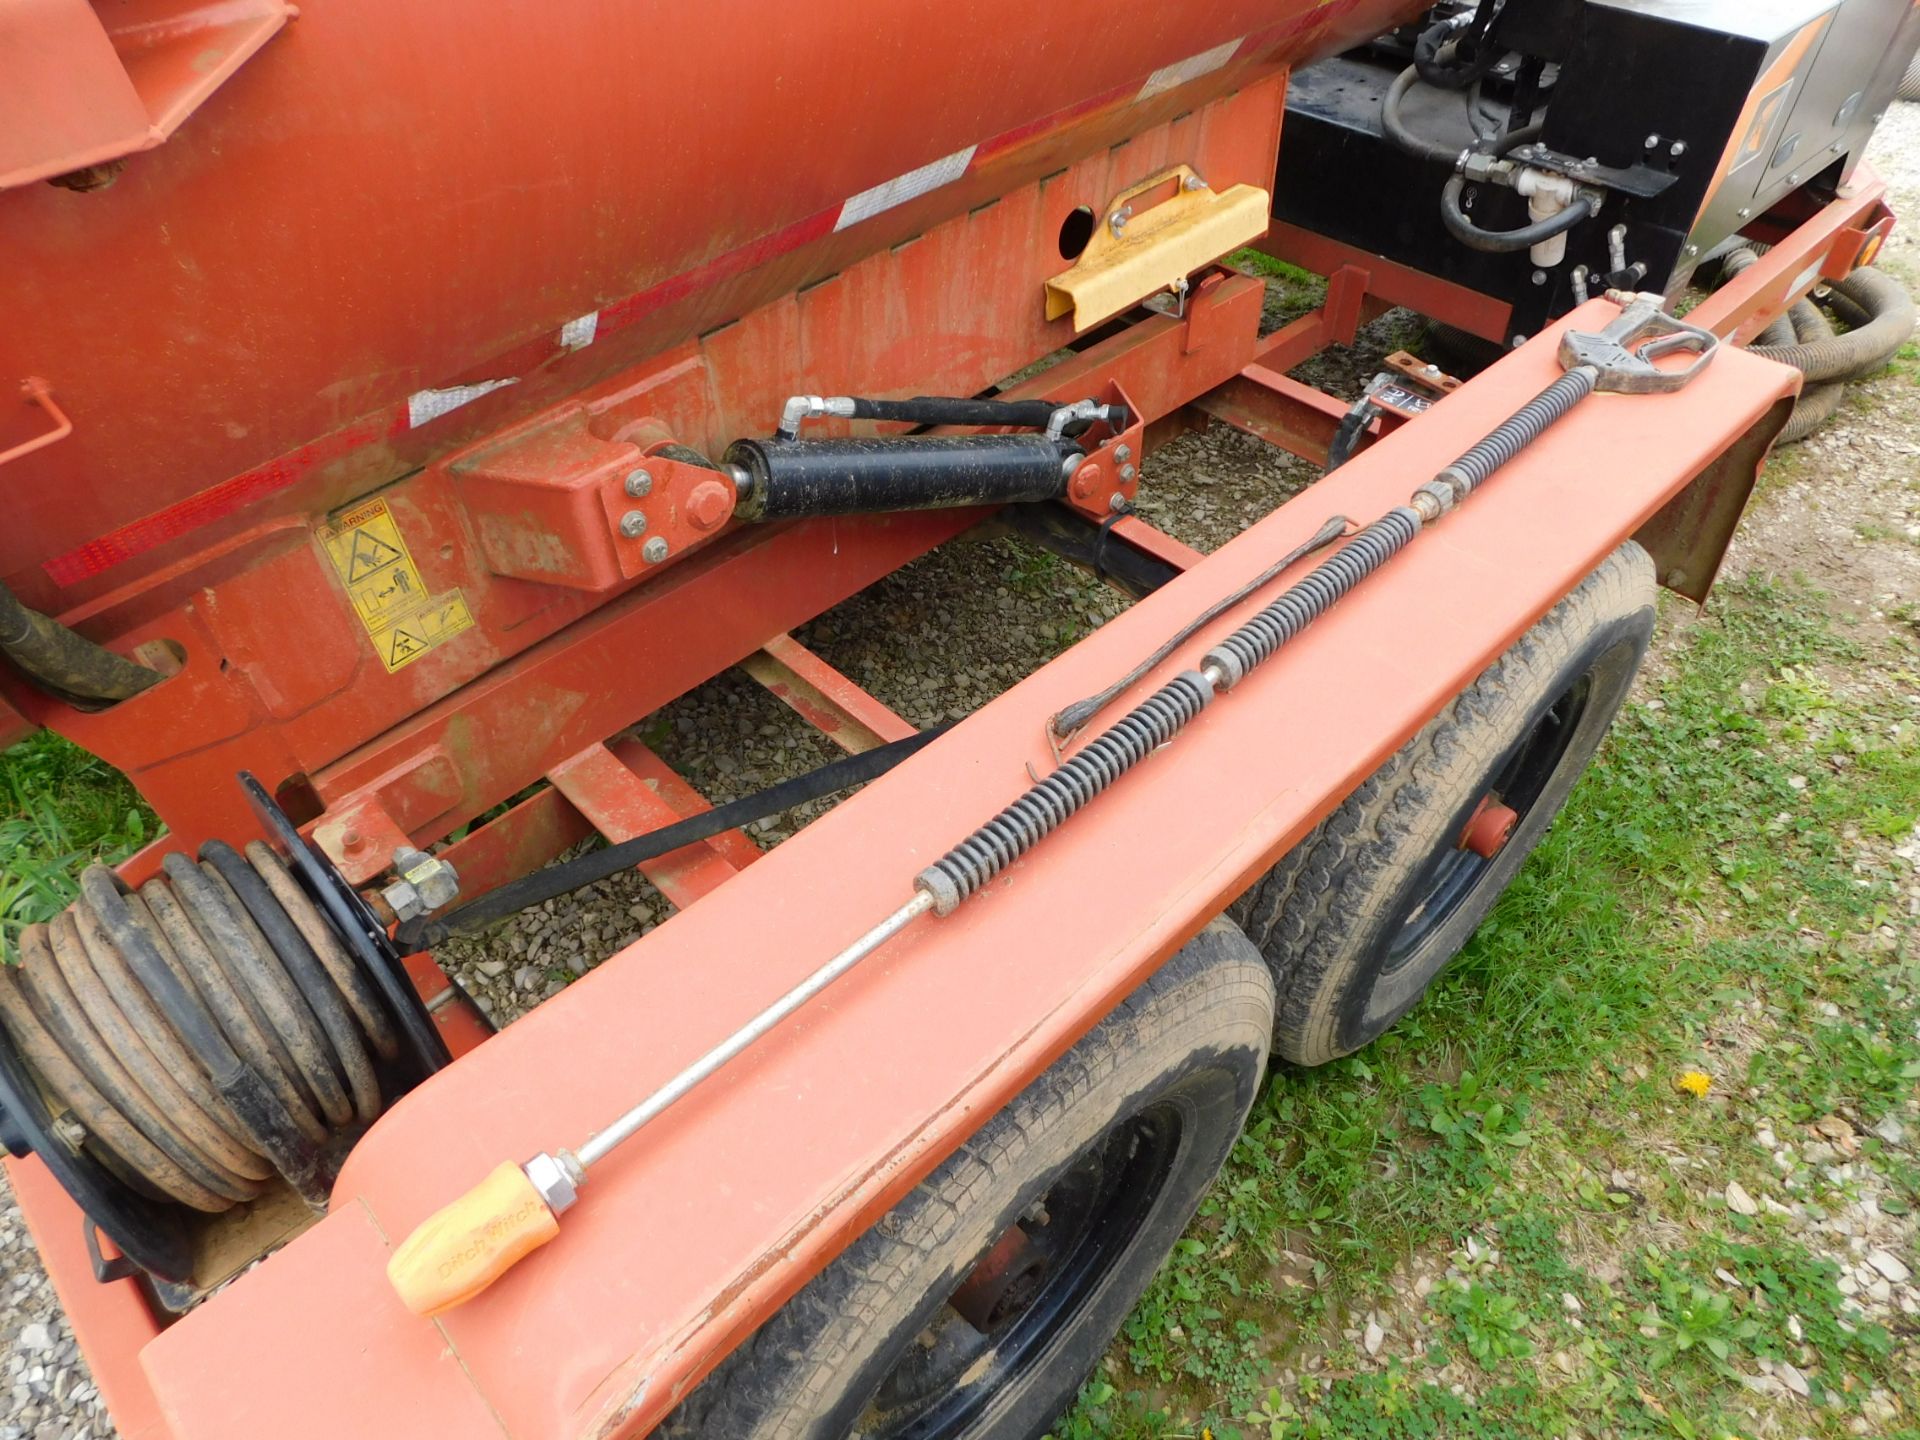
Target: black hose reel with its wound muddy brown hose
212, 1040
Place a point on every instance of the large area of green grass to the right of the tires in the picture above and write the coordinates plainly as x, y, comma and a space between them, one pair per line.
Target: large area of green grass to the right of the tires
1702, 888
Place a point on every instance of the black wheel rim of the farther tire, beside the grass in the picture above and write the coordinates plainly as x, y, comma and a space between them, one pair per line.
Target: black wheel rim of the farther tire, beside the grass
1452, 875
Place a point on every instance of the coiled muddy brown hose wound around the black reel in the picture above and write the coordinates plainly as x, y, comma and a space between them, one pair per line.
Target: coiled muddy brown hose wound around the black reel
201, 1034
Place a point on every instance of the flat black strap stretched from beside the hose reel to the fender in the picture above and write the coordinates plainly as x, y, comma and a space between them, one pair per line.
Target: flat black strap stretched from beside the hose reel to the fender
565, 878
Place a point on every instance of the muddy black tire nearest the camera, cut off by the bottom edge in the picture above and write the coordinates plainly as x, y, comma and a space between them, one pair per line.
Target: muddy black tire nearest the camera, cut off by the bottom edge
1193, 1038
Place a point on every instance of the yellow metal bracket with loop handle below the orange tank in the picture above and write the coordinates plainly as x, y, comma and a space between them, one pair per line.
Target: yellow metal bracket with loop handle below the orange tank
1140, 251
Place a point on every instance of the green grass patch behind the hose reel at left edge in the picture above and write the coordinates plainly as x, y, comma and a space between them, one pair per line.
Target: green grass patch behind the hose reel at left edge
64, 809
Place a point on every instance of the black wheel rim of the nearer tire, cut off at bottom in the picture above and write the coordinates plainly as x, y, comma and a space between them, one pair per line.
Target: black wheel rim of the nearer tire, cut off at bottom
1074, 1236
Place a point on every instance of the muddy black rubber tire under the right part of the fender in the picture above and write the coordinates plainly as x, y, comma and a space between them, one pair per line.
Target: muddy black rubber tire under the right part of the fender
1328, 917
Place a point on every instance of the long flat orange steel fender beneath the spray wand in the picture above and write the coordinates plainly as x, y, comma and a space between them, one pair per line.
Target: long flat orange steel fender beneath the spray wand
725, 1207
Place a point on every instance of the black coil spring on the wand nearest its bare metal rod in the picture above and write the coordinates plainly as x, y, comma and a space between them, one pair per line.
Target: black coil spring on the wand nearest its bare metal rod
1036, 815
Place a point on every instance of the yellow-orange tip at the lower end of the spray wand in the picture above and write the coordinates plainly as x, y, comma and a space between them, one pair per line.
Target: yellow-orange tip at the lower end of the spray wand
460, 1251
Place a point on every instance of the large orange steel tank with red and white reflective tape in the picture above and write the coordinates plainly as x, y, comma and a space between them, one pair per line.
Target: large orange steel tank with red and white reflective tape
395, 203
